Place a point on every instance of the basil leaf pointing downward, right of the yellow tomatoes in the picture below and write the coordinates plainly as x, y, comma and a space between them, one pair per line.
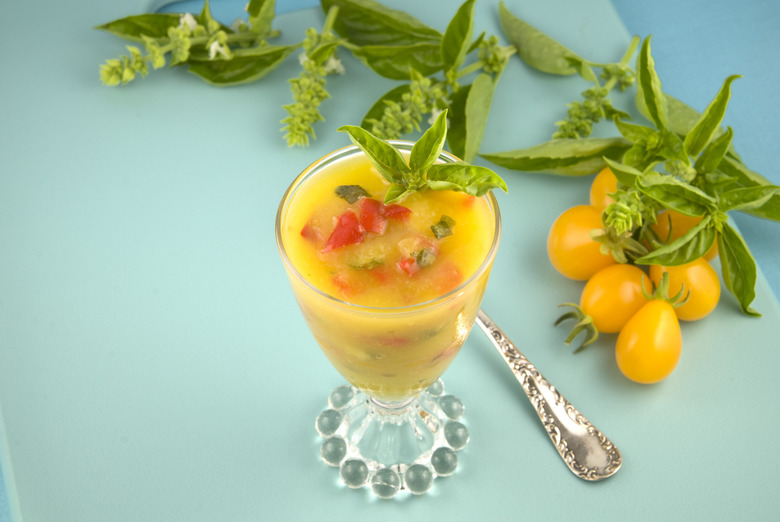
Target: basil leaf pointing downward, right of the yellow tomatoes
737, 267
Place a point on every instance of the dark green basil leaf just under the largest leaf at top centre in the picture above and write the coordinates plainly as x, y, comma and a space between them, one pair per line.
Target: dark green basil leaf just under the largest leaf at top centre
396, 61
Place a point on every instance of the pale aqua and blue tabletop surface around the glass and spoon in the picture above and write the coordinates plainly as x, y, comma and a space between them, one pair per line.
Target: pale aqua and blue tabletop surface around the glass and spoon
148, 339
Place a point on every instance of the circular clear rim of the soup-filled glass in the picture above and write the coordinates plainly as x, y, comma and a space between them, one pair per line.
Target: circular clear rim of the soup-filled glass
346, 151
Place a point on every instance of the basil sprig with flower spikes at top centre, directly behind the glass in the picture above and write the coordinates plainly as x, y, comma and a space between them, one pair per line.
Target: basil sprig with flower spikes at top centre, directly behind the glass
433, 65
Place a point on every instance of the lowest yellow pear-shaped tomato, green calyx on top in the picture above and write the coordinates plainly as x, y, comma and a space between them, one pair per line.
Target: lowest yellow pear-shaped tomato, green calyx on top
649, 345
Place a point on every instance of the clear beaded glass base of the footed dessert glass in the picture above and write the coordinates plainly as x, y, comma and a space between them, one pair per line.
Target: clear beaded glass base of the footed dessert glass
392, 448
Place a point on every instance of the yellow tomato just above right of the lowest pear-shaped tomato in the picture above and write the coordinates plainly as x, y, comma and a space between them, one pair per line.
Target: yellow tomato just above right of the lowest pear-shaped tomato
700, 279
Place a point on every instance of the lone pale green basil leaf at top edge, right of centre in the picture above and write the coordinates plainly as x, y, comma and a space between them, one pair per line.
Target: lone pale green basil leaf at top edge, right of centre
536, 48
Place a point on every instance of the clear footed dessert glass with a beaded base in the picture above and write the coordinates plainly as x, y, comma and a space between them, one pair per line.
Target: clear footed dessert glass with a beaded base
392, 427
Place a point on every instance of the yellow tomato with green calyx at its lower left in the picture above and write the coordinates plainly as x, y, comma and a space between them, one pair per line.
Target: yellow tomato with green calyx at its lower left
613, 295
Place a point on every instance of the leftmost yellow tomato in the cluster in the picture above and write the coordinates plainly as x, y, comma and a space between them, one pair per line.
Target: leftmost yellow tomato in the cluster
570, 247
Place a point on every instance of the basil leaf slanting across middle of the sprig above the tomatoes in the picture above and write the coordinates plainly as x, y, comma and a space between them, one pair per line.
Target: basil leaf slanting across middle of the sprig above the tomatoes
675, 194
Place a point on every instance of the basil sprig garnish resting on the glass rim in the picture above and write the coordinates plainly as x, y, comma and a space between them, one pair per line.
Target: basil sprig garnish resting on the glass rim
422, 172
